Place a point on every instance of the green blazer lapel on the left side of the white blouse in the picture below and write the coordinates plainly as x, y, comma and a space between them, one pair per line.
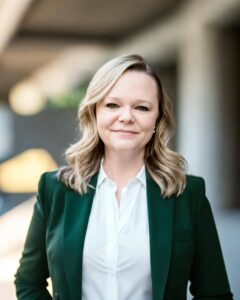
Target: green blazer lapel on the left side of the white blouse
76, 216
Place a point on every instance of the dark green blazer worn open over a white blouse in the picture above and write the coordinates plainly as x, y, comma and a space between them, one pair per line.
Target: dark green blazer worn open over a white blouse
184, 244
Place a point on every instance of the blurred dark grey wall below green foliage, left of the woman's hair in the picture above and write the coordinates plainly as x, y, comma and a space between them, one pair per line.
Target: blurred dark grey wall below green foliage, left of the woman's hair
52, 130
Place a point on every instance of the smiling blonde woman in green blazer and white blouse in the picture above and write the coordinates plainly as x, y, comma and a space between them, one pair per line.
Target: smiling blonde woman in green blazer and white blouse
122, 220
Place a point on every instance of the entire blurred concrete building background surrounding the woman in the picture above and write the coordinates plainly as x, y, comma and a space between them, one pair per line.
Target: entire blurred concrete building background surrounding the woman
49, 50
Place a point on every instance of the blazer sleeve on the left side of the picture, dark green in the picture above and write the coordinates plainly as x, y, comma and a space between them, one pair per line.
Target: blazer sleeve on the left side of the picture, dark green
32, 274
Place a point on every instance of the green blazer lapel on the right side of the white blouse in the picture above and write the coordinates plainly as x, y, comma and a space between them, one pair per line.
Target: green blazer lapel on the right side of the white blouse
160, 213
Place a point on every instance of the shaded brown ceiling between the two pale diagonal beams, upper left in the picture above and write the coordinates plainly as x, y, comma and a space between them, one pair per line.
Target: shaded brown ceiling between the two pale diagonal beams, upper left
49, 26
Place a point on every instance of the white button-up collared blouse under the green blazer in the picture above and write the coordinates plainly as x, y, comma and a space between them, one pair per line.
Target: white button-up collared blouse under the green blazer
116, 256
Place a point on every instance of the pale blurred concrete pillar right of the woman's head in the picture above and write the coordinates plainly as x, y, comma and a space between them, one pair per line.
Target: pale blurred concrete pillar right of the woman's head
198, 117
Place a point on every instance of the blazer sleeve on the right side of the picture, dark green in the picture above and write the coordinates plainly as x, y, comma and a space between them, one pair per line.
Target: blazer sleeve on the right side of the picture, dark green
208, 278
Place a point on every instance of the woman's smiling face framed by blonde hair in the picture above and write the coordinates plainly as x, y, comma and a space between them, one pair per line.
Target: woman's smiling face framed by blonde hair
127, 116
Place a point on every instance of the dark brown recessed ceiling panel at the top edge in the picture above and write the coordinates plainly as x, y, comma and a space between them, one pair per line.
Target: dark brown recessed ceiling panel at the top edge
92, 19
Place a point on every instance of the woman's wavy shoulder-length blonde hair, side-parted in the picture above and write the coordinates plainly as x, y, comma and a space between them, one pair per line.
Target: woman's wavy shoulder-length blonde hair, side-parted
166, 167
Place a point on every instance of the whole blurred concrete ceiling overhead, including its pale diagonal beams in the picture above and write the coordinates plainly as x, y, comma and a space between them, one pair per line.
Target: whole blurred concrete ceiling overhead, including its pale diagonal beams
68, 39
